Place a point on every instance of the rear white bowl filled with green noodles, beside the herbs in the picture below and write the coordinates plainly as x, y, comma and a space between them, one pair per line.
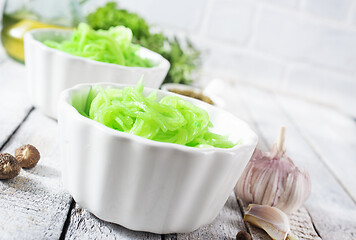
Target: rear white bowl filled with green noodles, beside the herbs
57, 59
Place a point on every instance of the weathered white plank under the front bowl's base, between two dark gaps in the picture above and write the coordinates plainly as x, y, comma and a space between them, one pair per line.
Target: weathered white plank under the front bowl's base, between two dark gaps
84, 225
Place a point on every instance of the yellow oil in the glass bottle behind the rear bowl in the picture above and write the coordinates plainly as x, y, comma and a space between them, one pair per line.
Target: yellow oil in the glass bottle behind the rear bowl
12, 36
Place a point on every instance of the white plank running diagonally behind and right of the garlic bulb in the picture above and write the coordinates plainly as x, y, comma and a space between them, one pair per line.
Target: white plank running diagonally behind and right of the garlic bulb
332, 210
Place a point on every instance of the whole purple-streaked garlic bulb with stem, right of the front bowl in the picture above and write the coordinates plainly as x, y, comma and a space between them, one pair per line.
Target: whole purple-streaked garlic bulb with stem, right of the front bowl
271, 178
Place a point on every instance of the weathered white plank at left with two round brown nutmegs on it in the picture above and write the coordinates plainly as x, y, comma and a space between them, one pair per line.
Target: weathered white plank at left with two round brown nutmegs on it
34, 205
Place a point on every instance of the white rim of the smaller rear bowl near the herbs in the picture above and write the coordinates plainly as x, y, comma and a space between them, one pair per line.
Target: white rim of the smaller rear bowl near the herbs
30, 35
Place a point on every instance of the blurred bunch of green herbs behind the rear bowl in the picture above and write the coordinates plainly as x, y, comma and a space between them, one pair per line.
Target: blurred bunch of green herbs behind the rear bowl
183, 60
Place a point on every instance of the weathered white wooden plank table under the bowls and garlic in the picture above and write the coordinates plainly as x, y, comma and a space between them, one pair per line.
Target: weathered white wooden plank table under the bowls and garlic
34, 205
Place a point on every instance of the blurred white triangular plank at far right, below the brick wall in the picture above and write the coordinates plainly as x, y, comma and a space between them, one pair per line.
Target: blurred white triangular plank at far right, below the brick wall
331, 134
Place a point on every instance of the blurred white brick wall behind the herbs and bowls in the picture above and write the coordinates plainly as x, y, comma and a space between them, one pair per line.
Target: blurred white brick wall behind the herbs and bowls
305, 48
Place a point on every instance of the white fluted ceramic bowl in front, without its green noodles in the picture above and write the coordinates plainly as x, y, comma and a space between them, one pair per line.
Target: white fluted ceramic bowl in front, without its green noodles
143, 184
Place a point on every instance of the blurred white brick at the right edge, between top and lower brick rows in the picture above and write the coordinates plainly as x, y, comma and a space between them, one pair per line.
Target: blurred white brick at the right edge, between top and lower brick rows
291, 35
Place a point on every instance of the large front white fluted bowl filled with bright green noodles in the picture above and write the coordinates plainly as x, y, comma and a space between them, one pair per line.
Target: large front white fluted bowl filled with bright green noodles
147, 159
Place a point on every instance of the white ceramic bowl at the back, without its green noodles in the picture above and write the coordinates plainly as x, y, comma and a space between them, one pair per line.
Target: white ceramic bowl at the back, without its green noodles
49, 71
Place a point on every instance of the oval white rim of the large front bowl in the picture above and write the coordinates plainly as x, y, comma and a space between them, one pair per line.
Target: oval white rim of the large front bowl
66, 97
